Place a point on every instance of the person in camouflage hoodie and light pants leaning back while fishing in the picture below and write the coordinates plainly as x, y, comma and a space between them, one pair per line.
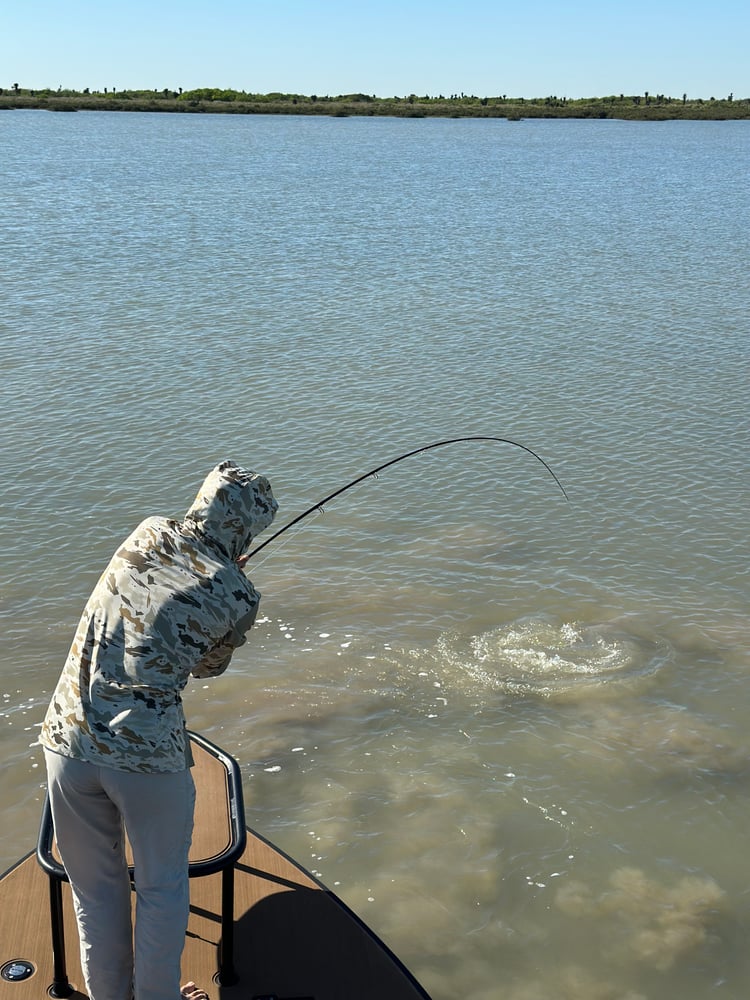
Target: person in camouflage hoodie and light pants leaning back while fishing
173, 602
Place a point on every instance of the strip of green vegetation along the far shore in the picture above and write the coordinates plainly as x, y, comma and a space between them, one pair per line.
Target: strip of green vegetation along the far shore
638, 107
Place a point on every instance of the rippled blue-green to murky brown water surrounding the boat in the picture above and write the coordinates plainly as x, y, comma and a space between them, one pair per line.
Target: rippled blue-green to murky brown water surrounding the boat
510, 731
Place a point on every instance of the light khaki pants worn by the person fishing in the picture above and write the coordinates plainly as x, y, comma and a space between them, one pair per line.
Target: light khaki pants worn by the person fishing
90, 804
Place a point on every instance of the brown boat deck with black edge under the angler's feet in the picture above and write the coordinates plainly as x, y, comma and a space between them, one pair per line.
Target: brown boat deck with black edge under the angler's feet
292, 937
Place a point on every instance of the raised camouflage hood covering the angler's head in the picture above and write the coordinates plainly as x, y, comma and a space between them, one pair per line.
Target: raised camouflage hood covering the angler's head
232, 506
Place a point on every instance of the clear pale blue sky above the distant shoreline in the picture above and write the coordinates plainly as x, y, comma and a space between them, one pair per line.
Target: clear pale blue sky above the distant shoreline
329, 47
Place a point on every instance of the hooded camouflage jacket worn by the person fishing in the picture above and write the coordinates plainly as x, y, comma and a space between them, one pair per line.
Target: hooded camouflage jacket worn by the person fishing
172, 602
